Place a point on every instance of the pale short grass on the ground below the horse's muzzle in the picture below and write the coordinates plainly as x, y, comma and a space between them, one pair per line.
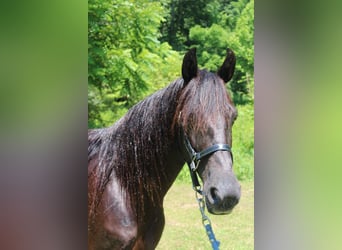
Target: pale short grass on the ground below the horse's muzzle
184, 230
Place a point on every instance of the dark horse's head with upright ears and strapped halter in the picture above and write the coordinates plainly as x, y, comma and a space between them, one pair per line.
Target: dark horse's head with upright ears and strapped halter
206, 115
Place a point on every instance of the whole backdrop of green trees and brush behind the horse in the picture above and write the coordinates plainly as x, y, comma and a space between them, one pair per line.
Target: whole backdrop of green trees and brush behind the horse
136, 46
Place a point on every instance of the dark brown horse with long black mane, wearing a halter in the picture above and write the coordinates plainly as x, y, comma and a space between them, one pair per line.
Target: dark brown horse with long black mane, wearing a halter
133, 163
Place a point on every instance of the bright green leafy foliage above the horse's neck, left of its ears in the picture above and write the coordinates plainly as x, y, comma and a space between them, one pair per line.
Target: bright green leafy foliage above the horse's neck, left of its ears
126, 61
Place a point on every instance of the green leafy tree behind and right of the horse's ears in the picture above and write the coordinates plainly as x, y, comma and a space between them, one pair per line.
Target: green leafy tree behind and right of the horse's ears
236, 32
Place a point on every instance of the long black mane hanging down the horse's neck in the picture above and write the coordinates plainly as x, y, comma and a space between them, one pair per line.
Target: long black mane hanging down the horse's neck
134, 148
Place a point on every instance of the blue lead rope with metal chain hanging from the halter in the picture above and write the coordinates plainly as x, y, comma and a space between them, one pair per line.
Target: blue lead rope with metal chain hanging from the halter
201, 203
